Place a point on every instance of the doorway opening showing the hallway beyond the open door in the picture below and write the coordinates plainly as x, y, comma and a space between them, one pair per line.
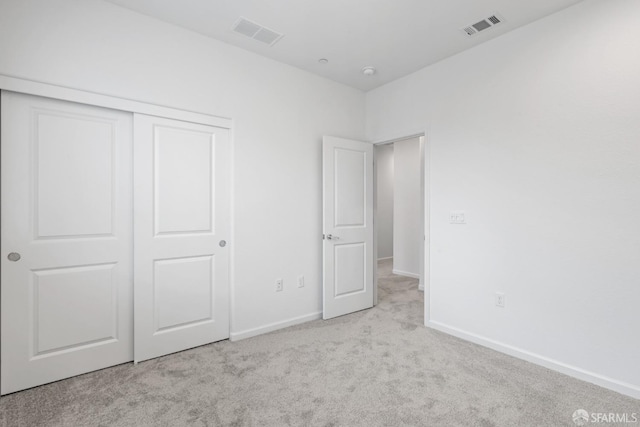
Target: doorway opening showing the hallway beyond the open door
399, 217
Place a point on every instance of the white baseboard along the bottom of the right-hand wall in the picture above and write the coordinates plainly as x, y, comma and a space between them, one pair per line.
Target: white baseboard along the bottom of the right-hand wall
572, 371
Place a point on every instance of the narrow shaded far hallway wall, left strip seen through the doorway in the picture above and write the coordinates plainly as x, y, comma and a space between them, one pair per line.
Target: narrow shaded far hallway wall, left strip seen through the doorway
384, 200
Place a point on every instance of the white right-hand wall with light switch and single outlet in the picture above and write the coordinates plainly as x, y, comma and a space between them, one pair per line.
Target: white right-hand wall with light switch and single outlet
535, 135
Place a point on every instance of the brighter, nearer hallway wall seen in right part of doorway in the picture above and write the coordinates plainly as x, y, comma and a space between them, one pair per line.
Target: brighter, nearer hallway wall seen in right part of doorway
407, 235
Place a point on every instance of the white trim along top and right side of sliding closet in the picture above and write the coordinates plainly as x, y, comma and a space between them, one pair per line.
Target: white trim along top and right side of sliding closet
97, 99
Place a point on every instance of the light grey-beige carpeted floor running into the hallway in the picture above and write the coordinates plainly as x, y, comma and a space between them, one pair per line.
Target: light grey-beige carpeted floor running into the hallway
378, 367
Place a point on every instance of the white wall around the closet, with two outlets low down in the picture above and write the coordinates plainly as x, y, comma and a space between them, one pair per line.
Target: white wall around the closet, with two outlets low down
280, 114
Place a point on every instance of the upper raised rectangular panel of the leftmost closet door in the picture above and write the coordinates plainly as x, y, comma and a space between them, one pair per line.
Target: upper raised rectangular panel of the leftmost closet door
73, 174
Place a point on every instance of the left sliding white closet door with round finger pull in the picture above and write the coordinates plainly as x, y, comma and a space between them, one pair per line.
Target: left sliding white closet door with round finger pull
66, 240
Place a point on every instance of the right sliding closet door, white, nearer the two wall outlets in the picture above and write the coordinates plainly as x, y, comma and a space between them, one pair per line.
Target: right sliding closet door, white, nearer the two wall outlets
181, 227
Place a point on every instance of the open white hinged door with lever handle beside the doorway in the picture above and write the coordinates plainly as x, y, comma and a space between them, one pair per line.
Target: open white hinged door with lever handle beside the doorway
348, 226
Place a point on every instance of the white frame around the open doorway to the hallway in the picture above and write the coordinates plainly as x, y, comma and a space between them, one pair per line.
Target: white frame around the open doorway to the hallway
425, 264
